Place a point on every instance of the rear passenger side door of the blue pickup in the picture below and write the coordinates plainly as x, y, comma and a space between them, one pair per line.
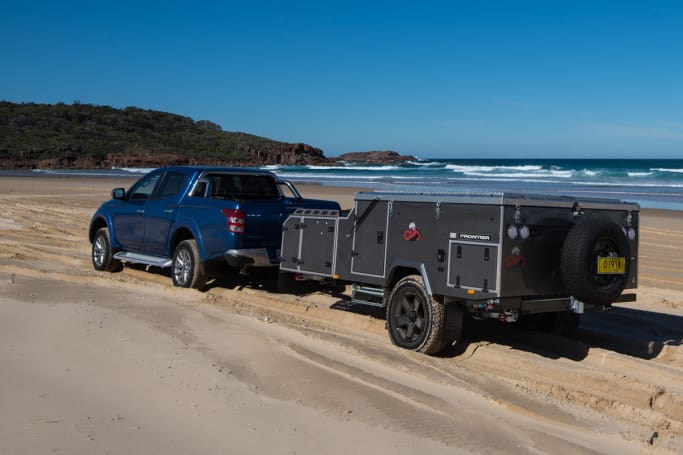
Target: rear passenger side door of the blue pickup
160, 211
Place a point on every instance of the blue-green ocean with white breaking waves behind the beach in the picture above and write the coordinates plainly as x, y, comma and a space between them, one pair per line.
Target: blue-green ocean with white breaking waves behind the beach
652, 183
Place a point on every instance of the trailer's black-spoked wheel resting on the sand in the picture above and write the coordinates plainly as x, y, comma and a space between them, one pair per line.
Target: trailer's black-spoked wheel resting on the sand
414, 319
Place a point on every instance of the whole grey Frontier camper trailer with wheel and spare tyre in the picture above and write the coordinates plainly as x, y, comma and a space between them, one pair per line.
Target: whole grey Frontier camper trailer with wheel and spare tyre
433, 259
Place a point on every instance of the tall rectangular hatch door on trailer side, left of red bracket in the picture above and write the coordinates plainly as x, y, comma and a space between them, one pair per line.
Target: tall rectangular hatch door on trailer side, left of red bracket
369, 238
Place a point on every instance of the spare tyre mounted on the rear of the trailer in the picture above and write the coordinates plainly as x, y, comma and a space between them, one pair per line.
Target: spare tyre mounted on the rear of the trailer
585, 243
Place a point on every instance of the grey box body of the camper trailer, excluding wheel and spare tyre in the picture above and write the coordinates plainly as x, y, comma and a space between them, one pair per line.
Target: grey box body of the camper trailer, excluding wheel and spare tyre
467, 247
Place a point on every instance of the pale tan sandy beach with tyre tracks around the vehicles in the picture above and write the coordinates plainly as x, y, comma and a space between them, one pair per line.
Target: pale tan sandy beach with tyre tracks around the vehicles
123, 363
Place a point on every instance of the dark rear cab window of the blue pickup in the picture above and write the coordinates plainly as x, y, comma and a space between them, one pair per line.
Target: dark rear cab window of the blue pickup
241, 186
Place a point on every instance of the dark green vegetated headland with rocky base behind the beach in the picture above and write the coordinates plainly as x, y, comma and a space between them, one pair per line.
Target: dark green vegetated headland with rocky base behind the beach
89, 136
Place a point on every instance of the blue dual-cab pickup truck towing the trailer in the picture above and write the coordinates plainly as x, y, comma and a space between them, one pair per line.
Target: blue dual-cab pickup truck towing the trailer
190, 217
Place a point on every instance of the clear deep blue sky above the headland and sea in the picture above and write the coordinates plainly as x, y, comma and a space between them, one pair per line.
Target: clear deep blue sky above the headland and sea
456, 79
